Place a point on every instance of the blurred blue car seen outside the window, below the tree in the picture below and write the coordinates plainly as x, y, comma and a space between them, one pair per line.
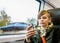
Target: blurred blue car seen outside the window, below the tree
14, 28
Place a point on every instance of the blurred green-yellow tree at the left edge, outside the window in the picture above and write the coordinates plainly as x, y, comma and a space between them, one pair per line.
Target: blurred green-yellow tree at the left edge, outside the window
4, 18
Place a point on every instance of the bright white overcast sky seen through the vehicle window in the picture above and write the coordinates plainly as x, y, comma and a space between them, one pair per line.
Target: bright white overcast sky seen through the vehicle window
20, 10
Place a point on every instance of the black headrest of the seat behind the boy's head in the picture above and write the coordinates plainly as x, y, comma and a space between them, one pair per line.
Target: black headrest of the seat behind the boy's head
55, 14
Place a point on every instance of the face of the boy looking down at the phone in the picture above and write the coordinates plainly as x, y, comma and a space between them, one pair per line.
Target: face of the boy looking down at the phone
44, 20
